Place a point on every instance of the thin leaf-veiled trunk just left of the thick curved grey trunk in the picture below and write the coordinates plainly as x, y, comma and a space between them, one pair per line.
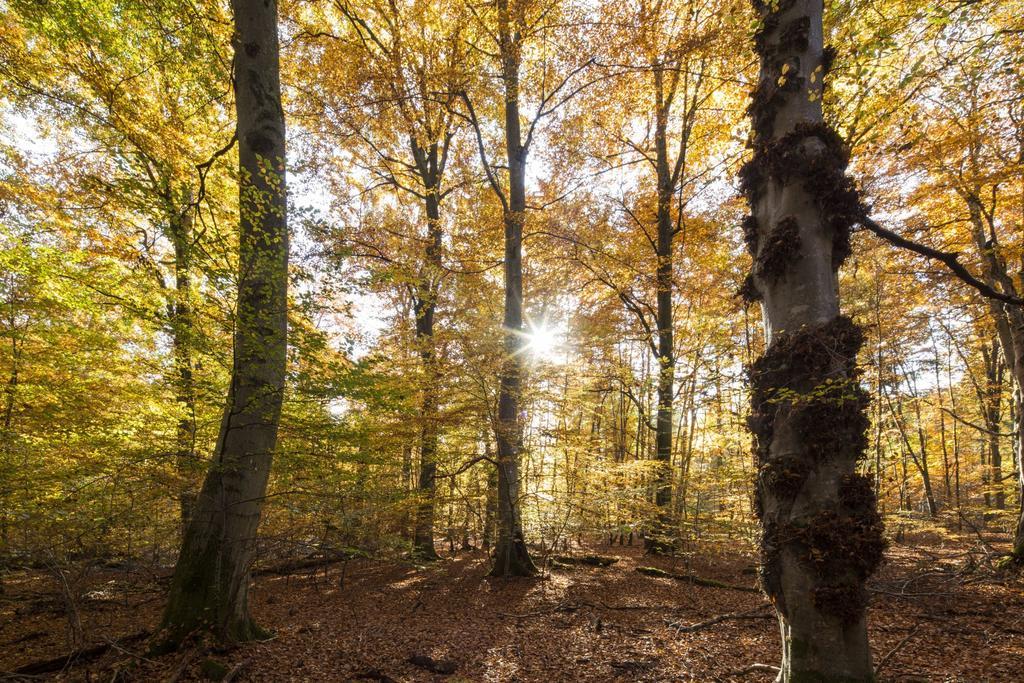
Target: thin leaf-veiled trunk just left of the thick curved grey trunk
181, 316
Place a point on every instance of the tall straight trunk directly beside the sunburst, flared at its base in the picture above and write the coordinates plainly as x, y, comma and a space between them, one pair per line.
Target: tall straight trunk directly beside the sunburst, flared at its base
511, 556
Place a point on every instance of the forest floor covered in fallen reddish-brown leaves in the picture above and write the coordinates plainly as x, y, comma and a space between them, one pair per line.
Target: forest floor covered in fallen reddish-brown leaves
934, 617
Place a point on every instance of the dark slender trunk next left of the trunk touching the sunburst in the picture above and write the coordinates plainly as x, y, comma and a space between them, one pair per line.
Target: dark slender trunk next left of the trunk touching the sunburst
426, 305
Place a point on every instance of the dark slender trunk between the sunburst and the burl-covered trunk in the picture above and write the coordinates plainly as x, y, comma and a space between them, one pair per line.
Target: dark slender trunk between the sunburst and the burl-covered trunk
663, 538
